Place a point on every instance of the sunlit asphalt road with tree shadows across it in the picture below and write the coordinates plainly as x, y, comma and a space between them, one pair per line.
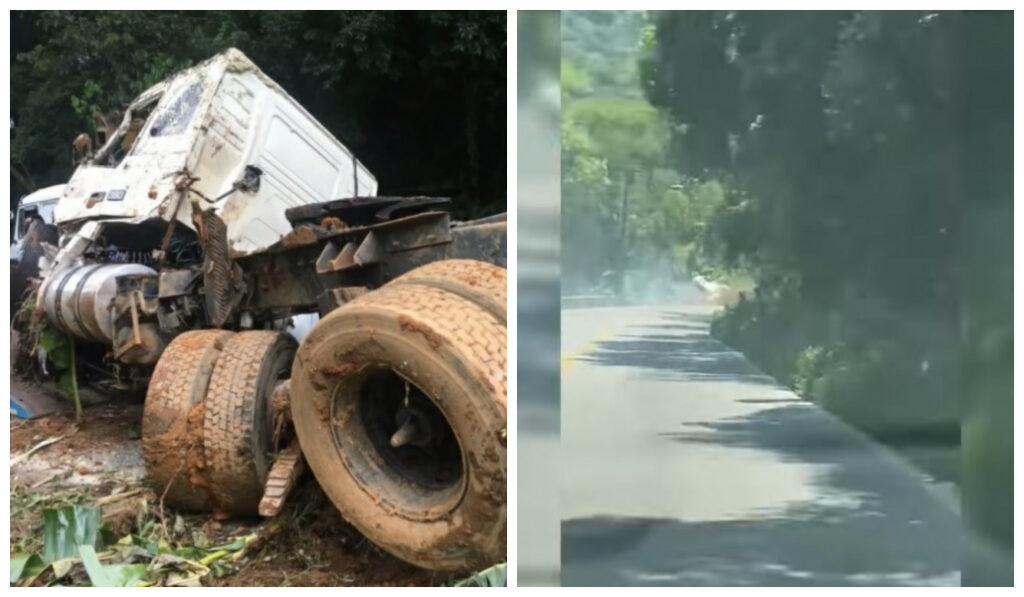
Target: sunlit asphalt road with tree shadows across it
682, 464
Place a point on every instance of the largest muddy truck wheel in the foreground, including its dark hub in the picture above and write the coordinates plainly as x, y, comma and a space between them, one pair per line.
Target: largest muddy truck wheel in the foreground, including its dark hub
399, 400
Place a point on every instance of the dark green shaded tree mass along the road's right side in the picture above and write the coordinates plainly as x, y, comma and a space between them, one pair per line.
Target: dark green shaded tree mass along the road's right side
874, 154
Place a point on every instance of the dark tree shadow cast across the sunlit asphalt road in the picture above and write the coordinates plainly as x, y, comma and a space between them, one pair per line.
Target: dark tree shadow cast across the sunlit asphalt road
874, 524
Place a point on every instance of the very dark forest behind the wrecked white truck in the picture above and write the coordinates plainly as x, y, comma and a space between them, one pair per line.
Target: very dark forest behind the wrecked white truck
420, 97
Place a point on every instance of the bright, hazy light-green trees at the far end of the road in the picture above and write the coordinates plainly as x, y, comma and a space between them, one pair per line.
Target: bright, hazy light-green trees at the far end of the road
634, 220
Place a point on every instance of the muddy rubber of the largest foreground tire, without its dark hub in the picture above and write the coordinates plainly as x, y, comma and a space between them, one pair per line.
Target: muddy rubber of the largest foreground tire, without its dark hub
474, 345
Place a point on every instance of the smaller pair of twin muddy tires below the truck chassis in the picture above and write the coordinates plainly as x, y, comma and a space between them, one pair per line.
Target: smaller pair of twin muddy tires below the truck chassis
207, 422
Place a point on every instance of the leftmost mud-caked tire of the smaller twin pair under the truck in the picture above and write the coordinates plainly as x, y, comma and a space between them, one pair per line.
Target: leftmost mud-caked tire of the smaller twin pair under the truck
174, 415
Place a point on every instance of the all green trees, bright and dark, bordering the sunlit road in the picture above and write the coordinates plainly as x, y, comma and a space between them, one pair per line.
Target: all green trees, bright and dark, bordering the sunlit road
857, 169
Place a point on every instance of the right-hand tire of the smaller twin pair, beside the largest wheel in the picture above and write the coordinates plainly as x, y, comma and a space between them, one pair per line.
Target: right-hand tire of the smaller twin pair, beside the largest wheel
239, 421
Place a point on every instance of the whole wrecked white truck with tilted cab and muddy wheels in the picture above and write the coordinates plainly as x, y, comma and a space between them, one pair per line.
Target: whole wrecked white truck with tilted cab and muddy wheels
207, 225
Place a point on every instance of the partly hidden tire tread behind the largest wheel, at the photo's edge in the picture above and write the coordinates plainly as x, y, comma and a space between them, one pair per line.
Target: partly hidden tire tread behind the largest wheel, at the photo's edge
482, 283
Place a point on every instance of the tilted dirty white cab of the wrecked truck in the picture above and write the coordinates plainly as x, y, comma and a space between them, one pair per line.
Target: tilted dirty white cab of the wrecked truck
211, 121
